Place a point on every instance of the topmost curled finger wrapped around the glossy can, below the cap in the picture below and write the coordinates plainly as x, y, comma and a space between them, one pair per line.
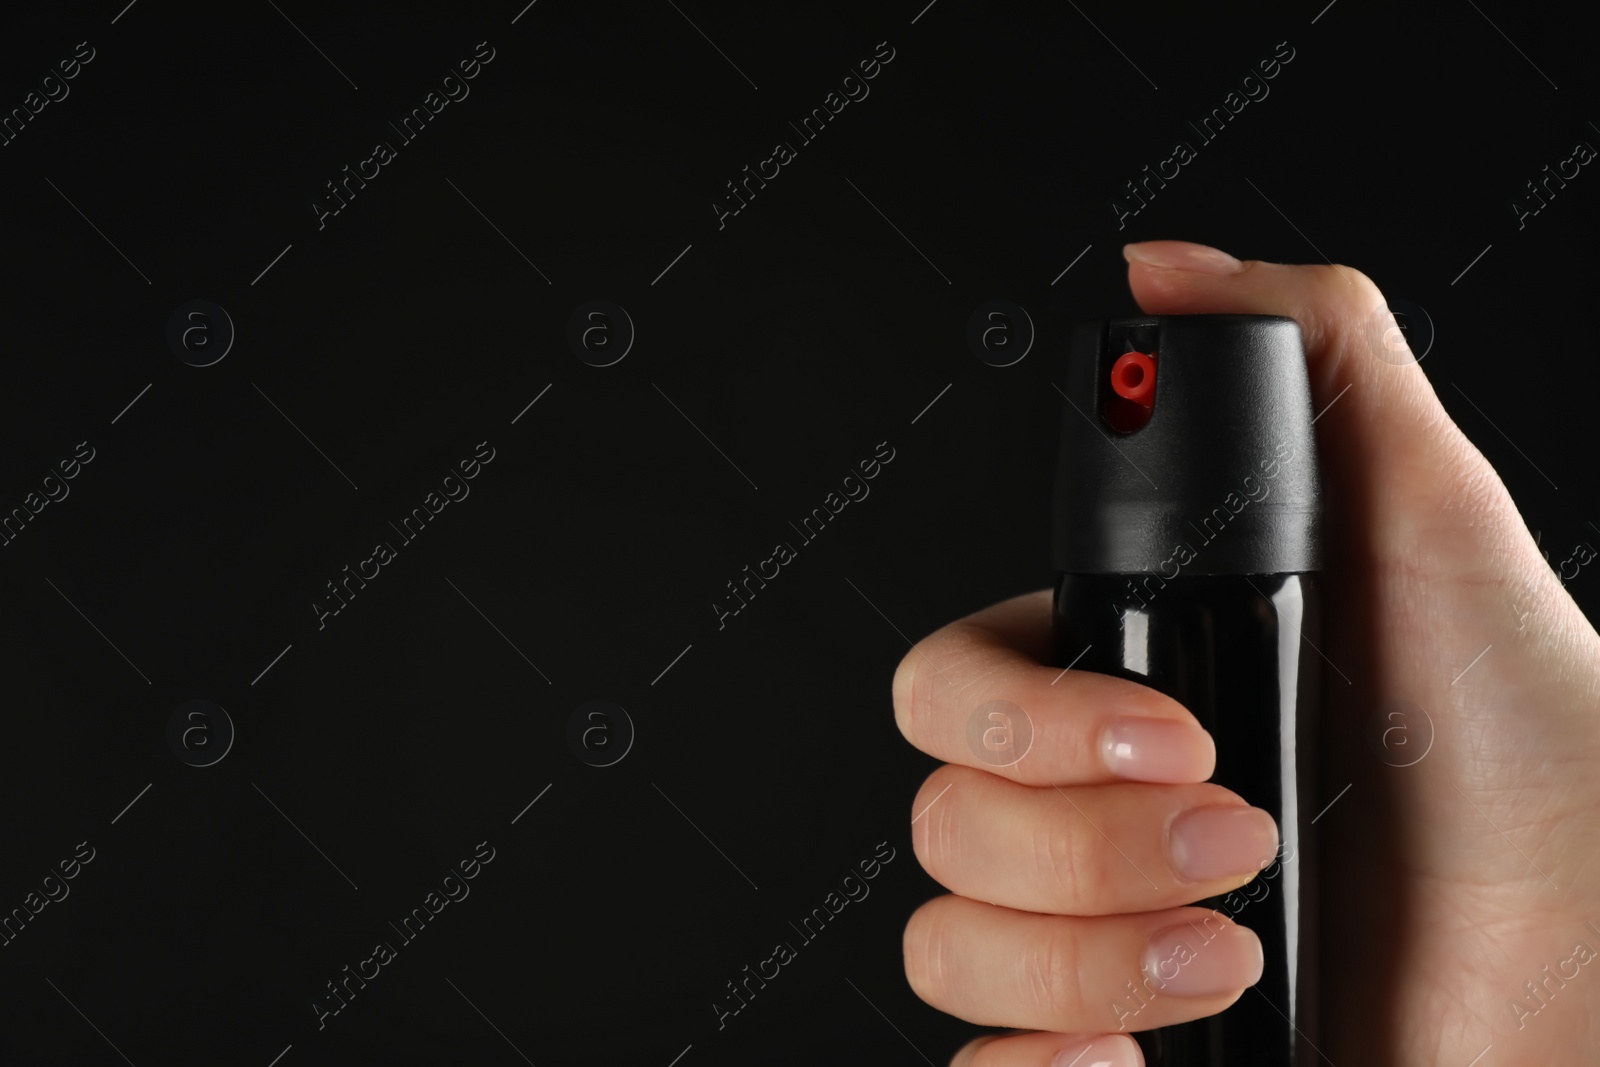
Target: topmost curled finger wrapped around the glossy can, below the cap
977, 693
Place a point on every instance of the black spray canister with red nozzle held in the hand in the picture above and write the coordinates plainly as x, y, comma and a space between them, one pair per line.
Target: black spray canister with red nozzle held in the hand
1188, 537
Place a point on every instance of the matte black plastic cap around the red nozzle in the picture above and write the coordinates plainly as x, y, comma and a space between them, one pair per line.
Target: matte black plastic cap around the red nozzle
1220, 479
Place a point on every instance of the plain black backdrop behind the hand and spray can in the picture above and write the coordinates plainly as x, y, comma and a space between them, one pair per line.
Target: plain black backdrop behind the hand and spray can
798, 338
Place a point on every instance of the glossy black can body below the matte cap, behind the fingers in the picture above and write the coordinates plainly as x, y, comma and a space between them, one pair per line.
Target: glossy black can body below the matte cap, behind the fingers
1238, 650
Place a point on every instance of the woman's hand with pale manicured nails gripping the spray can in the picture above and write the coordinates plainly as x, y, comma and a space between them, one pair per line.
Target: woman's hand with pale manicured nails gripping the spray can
1462, 893
